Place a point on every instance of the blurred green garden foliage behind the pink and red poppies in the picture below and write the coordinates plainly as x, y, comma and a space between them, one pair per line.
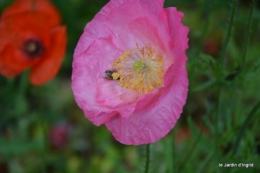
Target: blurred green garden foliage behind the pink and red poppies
43, 130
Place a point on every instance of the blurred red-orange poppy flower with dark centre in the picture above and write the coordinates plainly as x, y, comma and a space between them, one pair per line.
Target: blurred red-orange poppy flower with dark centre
31, 37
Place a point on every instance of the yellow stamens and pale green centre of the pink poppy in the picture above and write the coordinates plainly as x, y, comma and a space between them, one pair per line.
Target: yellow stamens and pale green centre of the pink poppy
140, 70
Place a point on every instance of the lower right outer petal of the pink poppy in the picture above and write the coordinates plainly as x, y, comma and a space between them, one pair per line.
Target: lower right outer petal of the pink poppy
154, 122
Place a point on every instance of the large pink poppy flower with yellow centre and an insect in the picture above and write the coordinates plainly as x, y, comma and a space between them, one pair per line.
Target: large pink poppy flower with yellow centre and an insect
129, 69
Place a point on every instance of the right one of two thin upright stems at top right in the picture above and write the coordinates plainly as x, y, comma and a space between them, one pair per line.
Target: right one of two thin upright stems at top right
248, 32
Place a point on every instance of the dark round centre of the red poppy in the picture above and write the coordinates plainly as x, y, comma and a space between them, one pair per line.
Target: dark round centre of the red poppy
33, 48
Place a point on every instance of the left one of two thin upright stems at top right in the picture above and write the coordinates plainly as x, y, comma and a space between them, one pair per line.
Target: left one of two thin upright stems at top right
229, 32
